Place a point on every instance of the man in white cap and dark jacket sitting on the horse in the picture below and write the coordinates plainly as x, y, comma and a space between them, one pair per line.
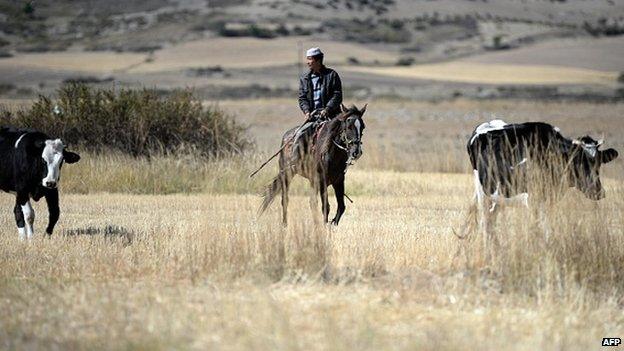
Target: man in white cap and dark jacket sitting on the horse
320, 91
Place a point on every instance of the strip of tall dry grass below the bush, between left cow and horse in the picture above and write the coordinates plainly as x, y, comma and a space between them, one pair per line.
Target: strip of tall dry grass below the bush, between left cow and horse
117, 172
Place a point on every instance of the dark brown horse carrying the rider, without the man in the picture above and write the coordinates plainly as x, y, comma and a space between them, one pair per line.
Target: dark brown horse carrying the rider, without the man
327, 153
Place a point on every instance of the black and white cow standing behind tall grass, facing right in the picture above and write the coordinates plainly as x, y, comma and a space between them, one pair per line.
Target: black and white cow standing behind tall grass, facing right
502, 153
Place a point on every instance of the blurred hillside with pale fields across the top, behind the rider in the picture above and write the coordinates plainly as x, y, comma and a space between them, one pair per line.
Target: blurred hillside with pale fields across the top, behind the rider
566, 49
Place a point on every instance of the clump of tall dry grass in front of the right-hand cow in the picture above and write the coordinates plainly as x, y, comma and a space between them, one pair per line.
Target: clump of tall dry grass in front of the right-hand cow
562, 241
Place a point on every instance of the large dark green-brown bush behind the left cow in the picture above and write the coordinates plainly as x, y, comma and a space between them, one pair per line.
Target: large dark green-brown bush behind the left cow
137, 122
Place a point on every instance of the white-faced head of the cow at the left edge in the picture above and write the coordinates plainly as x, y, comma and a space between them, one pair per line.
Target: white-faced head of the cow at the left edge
54, 155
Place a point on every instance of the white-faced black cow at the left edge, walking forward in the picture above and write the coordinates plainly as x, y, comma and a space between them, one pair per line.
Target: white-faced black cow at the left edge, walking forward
30, 167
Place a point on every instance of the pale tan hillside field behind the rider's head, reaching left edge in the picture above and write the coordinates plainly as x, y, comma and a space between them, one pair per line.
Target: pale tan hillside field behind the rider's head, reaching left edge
232, 53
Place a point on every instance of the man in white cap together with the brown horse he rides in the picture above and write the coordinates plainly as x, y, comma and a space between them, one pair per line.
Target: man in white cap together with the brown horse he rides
324, 146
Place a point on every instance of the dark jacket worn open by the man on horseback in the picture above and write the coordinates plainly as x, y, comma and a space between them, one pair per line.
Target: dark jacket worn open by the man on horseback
331, 98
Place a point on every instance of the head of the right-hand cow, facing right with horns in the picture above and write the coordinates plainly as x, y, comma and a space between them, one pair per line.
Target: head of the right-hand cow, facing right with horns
585, 162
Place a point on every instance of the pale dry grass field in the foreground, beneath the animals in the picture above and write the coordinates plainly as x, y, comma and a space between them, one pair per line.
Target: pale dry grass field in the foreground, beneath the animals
201, 271
